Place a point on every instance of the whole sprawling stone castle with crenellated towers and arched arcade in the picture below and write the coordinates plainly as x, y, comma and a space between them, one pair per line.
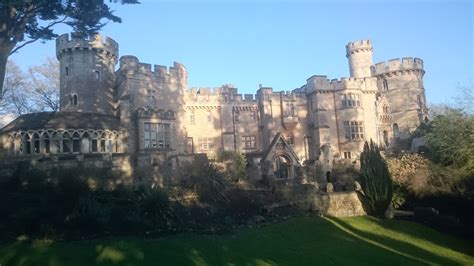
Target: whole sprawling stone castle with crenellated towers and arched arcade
139, 114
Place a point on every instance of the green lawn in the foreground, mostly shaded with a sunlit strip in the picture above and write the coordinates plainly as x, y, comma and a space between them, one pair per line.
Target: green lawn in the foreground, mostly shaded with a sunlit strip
298, 241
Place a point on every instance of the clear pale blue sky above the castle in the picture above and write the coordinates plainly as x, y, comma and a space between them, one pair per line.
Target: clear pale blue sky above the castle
280, 44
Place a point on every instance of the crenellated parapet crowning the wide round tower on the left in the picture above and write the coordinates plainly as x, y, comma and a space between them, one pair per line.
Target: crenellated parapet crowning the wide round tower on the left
66, 42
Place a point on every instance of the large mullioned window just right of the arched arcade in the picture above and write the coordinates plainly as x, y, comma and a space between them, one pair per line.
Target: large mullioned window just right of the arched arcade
157, 136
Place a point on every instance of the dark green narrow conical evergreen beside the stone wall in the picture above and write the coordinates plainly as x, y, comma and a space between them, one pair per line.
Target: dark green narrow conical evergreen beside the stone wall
375, 180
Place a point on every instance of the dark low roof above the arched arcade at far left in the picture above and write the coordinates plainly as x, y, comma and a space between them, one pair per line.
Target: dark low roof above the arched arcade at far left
63, 120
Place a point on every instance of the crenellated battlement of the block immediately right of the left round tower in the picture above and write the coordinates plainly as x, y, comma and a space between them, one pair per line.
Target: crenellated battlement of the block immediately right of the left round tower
130, 65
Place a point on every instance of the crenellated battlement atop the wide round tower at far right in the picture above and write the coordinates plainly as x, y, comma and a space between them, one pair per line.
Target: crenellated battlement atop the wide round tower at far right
394, 65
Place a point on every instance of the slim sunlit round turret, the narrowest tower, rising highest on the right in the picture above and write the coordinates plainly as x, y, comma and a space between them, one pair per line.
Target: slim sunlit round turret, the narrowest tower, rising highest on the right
359, 54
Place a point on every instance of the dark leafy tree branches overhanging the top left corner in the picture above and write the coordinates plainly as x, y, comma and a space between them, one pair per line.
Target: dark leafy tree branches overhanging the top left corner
25, 21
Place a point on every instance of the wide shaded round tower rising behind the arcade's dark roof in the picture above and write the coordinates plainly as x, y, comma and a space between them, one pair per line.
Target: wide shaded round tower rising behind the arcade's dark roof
86, 73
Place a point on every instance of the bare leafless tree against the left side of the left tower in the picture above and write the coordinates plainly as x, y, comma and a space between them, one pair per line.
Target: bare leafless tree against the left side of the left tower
44, 81
